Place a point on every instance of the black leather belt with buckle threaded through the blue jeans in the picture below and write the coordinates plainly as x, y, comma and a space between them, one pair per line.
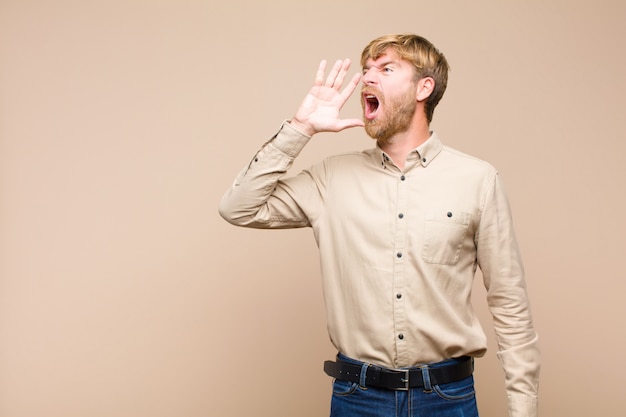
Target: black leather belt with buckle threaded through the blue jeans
400, 379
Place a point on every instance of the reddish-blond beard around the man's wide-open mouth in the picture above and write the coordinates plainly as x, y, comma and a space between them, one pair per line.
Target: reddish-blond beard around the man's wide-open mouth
396, 117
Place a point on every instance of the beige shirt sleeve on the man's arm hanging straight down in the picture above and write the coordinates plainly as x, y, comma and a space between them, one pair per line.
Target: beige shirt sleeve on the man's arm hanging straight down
500, 262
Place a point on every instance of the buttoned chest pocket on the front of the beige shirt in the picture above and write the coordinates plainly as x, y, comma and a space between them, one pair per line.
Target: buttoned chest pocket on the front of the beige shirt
444, 232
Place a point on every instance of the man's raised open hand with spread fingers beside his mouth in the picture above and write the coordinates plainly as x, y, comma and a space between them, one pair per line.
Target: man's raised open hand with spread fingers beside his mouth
319, 111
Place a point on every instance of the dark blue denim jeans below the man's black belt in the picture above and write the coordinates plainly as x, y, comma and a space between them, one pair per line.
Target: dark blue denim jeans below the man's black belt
455, 399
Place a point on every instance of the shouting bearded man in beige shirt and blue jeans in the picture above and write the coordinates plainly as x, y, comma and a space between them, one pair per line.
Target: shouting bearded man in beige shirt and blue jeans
401, 229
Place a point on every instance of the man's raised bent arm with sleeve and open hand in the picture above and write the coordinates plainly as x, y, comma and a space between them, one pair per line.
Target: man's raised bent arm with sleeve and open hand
258, 197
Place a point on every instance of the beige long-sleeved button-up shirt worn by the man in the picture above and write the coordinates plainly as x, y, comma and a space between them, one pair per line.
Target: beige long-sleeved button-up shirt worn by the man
399, 250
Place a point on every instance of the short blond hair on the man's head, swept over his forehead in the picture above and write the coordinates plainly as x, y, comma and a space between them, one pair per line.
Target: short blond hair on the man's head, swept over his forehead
422, 54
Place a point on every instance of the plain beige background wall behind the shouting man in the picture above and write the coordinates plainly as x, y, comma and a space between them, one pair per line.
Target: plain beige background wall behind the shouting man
122, 292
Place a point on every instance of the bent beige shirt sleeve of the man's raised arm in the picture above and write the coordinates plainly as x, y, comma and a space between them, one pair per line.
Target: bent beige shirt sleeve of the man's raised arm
258, 198
